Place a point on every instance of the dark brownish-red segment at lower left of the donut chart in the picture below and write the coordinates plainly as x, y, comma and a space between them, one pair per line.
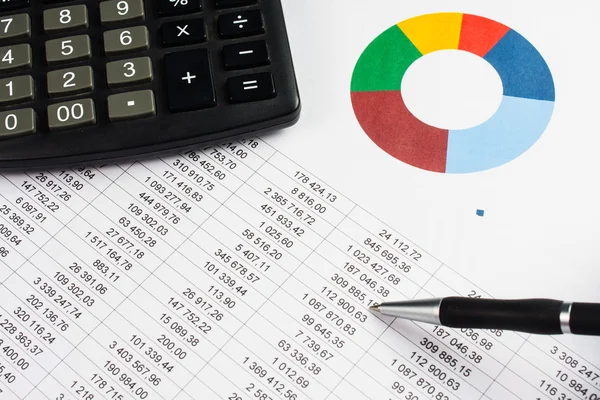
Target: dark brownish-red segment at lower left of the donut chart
388, 122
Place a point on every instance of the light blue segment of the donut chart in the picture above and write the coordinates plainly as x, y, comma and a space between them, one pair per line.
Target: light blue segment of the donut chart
510, 132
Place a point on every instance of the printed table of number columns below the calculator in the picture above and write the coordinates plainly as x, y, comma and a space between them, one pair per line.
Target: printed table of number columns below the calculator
233, 273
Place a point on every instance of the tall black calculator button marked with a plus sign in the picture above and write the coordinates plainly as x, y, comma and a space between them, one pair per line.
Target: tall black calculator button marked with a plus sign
189, 80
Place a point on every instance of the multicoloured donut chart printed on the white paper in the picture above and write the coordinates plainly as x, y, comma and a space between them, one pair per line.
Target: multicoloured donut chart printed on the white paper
523, 116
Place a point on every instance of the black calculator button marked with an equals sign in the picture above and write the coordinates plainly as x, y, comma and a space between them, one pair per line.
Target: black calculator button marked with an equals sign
255, 87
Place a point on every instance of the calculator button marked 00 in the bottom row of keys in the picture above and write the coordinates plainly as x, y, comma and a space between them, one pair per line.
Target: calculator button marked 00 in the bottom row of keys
71, 114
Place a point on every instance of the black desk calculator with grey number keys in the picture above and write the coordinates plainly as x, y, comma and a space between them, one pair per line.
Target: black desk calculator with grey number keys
93, 81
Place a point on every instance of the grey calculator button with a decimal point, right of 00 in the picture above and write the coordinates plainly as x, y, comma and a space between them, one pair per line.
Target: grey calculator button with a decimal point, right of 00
131, 105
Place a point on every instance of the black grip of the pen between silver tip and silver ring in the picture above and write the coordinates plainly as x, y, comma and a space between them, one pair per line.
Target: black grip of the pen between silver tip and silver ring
540, 316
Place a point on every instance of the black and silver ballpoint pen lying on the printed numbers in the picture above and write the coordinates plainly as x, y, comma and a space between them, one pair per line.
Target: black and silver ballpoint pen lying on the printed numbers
540, 316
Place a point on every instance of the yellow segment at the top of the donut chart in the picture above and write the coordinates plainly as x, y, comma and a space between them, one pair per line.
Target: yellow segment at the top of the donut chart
434, 32
